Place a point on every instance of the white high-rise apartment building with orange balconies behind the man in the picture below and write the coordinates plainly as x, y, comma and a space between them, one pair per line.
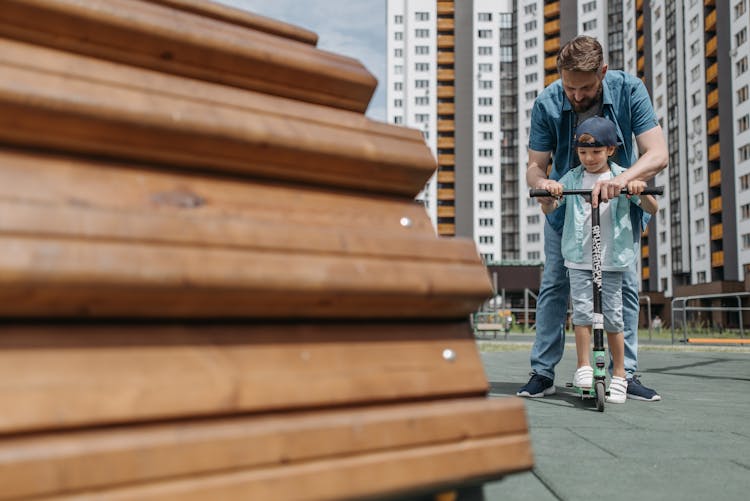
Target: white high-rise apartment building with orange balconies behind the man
467, 73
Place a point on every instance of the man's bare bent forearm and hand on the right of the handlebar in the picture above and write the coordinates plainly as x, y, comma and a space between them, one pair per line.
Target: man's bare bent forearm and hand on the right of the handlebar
654, 157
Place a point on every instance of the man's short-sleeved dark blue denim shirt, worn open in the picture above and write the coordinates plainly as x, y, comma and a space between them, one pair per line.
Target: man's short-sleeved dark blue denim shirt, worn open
625, 101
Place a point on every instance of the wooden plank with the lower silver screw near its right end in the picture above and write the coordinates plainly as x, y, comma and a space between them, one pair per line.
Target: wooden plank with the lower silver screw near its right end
79, 375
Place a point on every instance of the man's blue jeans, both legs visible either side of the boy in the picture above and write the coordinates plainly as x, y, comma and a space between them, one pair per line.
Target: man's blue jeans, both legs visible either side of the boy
552, 307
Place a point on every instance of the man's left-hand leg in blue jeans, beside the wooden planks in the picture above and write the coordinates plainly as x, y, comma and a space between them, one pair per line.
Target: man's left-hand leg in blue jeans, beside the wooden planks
551, 308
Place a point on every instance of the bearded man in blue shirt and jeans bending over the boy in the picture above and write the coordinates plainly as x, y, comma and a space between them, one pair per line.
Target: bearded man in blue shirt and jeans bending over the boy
585, 89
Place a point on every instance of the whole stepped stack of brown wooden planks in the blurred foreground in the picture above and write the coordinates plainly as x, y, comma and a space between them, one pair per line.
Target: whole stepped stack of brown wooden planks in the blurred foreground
214, 281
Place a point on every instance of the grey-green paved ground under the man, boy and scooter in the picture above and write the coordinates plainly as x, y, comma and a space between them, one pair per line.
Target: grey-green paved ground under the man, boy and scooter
693, 445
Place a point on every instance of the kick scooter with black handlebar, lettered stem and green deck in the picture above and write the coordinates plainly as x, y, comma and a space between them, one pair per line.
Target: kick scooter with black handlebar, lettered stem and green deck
598, 388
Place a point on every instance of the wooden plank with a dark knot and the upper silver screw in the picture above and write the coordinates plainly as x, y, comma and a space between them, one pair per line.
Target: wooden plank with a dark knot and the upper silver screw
42, 194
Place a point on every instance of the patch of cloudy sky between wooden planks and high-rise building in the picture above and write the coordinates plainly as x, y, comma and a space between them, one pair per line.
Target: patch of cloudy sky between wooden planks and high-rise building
354, 28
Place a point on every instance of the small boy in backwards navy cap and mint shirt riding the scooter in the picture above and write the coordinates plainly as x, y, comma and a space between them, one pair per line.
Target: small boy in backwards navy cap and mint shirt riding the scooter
596, 141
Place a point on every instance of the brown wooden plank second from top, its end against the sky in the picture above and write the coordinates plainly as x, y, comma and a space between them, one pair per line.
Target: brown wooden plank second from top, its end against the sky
180, 42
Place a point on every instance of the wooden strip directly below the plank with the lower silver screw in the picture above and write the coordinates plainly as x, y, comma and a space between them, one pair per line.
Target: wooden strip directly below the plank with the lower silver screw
58, 463
